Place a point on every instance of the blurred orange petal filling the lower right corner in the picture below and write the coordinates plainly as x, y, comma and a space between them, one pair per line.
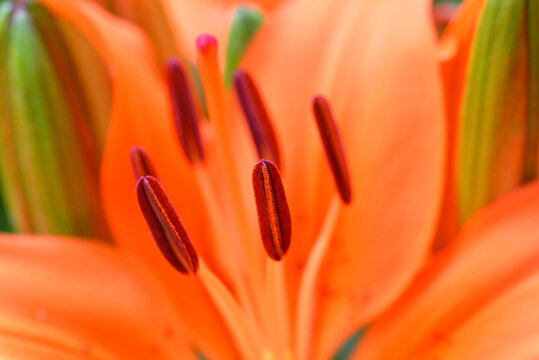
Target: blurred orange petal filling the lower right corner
477, 297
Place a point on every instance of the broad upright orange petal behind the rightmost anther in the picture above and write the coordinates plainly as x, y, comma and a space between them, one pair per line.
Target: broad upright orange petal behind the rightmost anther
376, 63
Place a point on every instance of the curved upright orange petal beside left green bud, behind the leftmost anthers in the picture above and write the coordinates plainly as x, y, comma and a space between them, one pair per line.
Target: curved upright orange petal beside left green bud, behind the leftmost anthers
140, 117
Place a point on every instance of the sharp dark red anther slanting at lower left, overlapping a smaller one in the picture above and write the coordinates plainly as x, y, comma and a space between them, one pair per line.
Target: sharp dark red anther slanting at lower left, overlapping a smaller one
166, 226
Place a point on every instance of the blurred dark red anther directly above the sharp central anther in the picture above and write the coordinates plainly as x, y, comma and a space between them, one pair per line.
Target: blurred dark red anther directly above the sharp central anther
257, 117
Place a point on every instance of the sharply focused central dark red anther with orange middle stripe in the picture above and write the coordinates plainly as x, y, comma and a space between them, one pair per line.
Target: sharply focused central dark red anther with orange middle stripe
272, 207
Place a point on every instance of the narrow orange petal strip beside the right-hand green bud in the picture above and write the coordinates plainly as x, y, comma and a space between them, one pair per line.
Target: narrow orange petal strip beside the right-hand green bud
455, 49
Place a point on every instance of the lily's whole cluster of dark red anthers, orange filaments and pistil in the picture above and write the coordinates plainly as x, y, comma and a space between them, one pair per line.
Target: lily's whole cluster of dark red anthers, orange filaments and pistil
255, 307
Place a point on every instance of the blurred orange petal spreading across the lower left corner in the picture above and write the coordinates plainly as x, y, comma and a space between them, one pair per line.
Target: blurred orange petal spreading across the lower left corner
70, 298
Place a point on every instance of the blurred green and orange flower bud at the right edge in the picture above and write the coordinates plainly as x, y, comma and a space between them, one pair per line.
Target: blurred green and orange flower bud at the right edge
498, 128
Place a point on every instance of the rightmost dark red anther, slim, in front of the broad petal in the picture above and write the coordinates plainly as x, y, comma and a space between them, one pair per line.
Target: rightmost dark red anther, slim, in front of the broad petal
333, 146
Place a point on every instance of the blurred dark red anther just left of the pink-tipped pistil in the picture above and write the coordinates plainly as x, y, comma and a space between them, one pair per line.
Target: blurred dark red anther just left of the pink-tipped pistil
184, 113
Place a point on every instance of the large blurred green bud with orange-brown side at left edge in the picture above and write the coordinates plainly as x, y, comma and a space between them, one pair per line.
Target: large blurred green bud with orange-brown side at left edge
54, 109
